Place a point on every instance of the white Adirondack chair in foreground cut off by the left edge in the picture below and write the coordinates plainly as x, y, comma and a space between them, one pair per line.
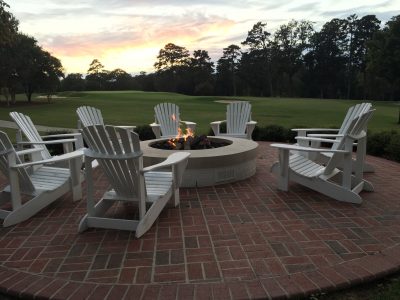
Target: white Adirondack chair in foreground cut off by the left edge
43, 185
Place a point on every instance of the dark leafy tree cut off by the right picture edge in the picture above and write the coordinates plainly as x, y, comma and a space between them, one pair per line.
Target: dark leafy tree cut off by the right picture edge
383, 55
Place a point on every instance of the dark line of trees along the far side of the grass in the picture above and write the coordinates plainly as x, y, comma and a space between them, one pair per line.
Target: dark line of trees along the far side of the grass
350, 58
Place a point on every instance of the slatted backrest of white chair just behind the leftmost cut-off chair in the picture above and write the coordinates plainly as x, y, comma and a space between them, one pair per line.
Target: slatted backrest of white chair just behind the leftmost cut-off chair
26, 125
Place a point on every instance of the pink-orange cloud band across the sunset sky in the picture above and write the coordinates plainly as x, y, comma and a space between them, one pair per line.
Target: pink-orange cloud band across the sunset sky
142, 32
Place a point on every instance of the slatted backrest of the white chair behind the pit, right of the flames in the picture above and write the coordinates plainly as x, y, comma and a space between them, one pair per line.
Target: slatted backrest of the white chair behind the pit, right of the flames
237, 115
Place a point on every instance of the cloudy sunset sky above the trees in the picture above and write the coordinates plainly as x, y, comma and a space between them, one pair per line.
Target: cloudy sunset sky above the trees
129, 34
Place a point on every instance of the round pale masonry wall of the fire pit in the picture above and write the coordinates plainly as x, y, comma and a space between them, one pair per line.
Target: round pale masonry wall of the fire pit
207, 167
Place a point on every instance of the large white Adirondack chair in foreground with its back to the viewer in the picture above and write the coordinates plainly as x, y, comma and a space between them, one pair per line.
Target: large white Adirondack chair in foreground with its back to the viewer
118, 152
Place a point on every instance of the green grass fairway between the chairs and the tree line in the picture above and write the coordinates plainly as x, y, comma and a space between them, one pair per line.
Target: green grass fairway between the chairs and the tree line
136, 108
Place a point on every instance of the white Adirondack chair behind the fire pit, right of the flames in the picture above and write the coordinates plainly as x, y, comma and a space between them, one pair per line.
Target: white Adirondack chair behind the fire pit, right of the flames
238, 121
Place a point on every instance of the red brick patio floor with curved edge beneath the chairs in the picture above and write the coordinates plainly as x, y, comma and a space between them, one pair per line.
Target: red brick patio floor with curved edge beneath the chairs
241, 240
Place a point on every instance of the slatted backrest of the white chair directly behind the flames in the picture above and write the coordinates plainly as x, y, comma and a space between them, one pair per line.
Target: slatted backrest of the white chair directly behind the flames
167, 115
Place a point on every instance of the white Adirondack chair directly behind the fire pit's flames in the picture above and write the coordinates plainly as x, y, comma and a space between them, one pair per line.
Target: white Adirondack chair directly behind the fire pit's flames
167, 121
